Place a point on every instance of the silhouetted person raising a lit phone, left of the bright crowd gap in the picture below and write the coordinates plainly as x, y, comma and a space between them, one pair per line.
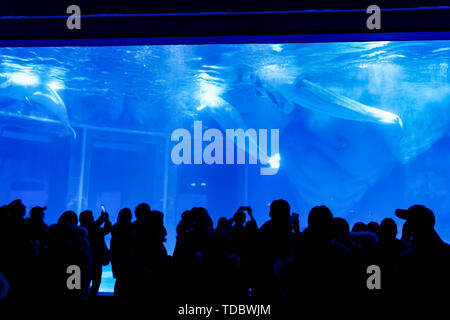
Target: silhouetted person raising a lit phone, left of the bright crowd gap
96, 237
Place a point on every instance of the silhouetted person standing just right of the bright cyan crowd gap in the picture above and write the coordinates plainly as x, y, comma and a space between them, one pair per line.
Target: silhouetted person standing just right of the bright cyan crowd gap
121, 240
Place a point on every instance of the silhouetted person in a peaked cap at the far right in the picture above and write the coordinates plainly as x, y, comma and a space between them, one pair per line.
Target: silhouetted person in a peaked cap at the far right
423, 269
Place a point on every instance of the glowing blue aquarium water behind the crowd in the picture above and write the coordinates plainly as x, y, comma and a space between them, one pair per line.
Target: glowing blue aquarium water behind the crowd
363, 128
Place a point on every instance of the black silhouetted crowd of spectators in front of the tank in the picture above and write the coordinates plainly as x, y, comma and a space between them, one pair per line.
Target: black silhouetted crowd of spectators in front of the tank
236, 260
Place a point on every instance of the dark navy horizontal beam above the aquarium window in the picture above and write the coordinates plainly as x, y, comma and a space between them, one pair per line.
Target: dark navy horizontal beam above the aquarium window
207, 25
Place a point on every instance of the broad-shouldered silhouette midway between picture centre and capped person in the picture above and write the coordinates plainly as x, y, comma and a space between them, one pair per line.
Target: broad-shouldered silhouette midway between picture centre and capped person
319, 268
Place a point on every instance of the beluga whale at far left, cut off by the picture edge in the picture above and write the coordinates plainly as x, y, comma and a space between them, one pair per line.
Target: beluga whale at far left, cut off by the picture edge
27, 88
